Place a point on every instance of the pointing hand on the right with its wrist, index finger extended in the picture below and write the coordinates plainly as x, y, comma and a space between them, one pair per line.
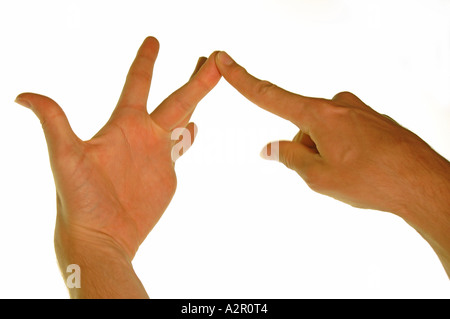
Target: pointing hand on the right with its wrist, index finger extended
346, 150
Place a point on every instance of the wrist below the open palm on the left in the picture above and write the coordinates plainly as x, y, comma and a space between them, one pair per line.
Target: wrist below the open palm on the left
95, 266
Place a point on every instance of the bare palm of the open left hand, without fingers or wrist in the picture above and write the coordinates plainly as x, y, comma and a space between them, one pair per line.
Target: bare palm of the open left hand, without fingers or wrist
122, 181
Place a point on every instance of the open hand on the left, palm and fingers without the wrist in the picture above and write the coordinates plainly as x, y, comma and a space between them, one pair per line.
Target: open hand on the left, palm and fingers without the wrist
119, 183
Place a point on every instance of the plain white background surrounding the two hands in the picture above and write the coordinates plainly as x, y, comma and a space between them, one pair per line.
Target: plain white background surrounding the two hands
238, 226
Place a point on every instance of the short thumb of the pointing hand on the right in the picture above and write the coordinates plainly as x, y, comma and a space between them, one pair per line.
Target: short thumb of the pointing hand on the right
295, 156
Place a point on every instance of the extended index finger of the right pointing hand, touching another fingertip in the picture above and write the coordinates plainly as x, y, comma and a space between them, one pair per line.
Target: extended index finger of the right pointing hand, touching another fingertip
268, 96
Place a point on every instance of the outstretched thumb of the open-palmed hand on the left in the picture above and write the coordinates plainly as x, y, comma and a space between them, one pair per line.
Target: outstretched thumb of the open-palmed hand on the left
57, 130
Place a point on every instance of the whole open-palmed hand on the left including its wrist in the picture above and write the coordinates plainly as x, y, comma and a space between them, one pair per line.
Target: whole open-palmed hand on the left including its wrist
112, 189
